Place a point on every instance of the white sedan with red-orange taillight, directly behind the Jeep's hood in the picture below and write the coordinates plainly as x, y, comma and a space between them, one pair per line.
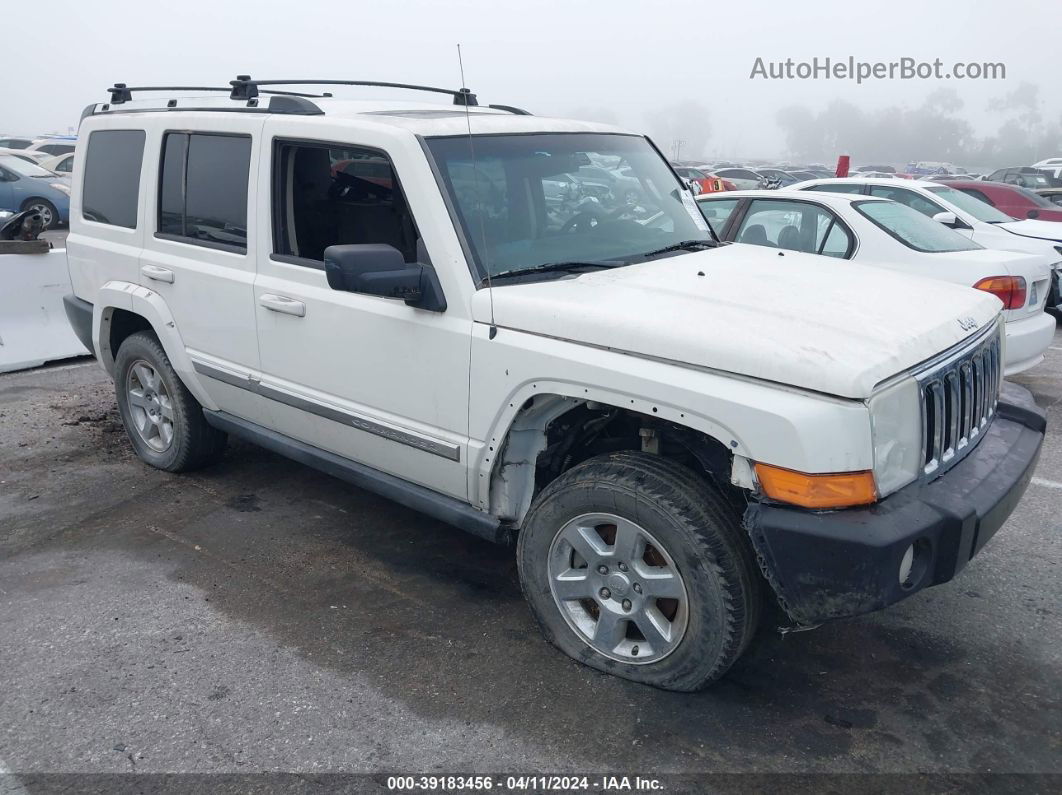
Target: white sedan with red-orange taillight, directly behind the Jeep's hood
888, 235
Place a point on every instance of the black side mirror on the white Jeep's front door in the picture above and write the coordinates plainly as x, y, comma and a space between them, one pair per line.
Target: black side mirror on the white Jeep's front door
378, 269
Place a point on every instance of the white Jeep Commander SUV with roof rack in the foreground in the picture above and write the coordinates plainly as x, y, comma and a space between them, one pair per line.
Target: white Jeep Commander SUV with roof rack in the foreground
524, 327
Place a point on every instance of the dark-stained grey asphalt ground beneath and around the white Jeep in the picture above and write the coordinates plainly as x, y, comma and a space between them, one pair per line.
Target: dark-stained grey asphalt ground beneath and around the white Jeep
262, 617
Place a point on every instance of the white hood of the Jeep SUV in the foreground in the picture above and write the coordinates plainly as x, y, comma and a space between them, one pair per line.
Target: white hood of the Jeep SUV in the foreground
801, 320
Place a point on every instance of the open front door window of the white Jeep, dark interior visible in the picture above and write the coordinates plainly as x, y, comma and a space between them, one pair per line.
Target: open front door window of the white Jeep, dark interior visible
329, 195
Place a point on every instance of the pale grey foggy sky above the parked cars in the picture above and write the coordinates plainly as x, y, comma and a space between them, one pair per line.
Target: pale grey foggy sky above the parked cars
673, 70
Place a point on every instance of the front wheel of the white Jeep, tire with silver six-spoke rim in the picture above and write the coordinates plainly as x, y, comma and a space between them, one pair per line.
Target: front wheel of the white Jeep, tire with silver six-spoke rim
635, 565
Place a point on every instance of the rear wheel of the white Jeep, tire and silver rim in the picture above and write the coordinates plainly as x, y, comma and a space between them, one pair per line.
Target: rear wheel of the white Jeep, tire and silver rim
164, 422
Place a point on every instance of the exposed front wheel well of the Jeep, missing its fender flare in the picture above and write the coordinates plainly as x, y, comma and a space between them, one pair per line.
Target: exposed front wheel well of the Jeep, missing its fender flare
552, 435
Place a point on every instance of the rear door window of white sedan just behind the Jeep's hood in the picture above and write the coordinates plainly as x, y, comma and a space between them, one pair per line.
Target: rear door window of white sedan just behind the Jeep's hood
796, 227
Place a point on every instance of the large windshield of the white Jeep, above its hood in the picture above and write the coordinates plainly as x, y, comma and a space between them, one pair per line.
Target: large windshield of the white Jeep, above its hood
537, 200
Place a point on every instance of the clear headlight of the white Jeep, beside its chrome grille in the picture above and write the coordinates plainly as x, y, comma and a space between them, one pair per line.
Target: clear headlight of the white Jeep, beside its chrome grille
896, 420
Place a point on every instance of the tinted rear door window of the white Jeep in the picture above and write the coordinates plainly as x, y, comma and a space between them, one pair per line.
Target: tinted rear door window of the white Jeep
203, 189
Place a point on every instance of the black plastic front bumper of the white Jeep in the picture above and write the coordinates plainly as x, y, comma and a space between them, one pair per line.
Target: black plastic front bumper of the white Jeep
846, 563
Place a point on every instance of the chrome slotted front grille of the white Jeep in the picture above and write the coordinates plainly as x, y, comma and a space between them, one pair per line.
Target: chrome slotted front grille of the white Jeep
960, 396
